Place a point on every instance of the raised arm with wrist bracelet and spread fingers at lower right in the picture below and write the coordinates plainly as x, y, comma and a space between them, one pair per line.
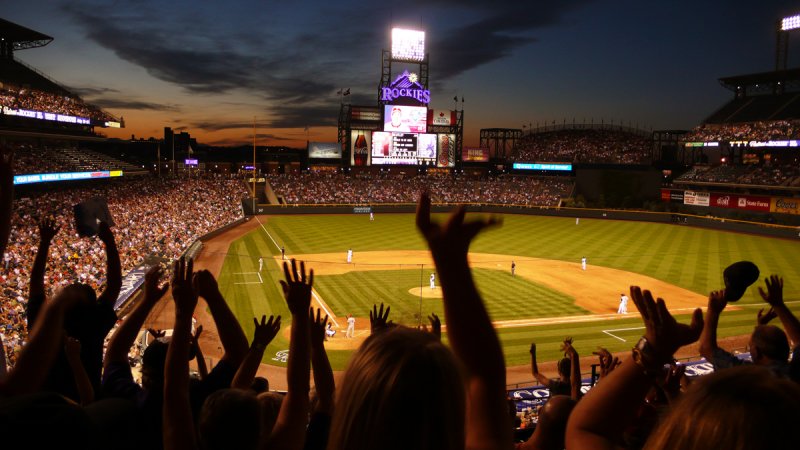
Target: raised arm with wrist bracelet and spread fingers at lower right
600, 418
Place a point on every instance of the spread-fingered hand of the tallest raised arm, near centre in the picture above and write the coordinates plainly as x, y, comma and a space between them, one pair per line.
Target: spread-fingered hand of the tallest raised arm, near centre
455, 236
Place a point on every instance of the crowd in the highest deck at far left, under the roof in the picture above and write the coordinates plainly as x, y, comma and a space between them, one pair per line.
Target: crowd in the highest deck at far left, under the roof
59, 103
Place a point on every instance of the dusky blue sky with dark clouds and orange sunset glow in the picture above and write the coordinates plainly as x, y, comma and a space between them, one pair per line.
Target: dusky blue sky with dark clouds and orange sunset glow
209, 67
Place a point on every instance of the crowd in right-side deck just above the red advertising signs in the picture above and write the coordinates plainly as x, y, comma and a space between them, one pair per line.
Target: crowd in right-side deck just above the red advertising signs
783, 175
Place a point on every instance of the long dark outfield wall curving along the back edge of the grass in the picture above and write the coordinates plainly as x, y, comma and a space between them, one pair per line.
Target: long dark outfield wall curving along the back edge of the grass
715, 223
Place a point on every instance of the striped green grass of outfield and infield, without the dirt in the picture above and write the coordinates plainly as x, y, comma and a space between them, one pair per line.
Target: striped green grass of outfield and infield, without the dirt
691, 258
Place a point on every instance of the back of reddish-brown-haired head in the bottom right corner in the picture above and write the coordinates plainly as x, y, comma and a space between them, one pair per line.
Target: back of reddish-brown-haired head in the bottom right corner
744, 407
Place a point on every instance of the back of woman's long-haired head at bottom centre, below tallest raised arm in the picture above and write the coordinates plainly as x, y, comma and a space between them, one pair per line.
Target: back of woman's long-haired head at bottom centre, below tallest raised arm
403, 389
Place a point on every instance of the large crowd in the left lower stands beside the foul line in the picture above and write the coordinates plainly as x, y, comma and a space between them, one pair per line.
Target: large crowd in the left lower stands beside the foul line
154, 217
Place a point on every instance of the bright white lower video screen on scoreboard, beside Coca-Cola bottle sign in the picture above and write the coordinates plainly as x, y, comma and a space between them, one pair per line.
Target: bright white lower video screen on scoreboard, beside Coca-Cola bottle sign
403, 148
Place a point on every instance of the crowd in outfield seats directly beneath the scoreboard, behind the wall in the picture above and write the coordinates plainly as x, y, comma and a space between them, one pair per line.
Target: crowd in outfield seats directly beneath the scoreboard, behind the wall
338, 187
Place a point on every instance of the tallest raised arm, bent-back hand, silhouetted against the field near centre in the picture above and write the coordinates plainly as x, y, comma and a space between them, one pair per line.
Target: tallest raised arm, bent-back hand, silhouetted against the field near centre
469, 328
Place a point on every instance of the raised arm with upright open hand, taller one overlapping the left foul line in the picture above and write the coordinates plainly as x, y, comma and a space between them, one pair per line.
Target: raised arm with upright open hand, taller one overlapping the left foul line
289, 430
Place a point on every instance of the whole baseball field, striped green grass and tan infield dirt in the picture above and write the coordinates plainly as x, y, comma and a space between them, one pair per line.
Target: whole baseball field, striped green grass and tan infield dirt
549, 297
